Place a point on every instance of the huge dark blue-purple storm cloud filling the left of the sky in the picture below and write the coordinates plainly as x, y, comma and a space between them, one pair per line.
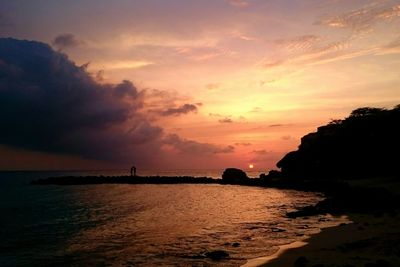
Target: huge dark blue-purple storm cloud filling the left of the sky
47, 103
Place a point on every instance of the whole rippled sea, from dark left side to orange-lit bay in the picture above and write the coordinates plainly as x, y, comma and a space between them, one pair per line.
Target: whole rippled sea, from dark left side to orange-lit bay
145, 225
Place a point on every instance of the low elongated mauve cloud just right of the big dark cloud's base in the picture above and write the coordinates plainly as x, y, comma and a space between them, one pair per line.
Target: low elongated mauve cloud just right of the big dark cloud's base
193, 147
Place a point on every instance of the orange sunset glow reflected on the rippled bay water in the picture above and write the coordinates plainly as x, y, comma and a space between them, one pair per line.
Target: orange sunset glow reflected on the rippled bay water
175, 224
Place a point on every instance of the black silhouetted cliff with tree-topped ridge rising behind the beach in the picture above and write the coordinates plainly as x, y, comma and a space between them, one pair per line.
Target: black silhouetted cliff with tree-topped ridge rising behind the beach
365, 144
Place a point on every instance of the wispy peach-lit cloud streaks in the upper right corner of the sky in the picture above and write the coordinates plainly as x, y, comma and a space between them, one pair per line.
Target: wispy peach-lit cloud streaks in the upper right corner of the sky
310, 50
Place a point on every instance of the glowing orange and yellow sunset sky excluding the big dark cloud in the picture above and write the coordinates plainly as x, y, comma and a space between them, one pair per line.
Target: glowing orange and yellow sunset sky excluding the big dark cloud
260, 73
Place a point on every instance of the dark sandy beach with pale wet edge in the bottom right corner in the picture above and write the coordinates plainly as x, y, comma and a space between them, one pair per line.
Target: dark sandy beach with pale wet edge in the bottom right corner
370, 240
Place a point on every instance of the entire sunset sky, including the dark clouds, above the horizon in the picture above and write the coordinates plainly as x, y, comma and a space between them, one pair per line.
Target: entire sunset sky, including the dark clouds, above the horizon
168, 84
